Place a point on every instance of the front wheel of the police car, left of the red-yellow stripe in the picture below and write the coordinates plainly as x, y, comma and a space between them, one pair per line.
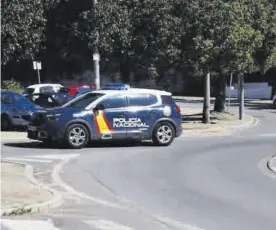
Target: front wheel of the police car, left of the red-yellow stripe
77, 136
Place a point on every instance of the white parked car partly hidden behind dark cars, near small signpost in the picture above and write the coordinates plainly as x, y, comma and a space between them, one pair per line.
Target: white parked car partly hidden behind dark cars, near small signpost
42, 88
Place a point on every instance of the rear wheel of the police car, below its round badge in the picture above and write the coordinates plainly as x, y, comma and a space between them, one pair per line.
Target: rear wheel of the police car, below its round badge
163, 134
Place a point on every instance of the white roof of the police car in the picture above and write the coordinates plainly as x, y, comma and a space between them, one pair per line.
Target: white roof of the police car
133, 91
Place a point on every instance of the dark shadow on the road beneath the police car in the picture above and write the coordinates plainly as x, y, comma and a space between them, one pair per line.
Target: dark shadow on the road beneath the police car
98, 144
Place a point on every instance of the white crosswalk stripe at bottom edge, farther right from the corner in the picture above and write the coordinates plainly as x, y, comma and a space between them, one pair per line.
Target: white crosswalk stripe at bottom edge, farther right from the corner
107, 225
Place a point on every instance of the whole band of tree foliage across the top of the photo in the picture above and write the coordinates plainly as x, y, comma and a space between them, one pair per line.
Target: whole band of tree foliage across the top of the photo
199, 36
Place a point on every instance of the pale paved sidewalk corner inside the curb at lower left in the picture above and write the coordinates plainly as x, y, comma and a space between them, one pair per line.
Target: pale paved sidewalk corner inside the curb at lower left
17, 191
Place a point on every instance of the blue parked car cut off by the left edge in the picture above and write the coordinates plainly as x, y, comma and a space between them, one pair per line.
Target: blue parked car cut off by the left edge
13, 107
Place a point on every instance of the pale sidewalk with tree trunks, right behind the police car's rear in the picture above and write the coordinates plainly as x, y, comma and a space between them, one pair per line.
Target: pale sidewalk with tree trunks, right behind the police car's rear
221, 123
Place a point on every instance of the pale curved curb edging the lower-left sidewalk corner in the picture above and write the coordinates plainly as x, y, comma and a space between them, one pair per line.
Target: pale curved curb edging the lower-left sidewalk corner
36, 207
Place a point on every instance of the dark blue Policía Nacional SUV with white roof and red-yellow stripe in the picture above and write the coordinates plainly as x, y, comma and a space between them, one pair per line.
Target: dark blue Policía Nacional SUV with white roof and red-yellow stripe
140, 114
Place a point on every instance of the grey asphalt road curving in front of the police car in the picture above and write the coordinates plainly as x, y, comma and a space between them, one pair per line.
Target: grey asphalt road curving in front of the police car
209, 183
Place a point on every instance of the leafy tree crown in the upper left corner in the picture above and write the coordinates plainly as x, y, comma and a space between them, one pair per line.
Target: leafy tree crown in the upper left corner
23, 25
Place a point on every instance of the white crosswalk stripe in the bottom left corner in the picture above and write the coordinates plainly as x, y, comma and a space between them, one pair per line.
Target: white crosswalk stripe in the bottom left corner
28, 224
